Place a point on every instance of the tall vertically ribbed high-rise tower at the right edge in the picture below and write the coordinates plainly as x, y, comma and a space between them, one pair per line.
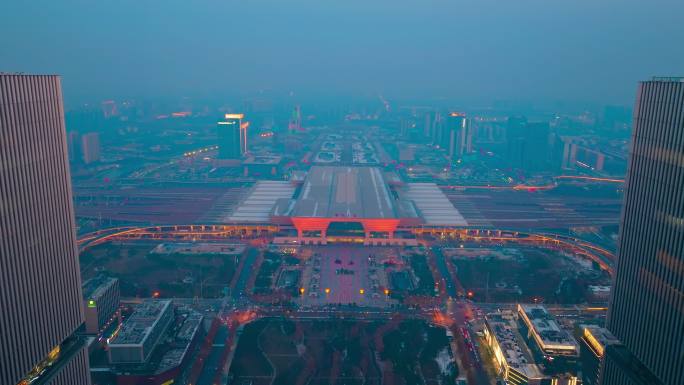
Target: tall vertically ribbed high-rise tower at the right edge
647, 306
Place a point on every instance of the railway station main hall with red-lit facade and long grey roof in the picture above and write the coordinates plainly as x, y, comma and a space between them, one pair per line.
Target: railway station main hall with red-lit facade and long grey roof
346, 204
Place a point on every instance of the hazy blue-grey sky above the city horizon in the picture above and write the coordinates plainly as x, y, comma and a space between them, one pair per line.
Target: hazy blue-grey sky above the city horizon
575, 50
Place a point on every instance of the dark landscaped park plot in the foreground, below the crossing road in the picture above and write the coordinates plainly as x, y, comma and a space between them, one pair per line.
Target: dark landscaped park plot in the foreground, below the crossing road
341, 352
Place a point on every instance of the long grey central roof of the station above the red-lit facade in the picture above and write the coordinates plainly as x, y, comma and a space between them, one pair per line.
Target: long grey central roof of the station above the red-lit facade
350, 192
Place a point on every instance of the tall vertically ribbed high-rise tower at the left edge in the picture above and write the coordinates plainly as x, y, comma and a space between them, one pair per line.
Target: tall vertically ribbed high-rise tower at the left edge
40, 284
